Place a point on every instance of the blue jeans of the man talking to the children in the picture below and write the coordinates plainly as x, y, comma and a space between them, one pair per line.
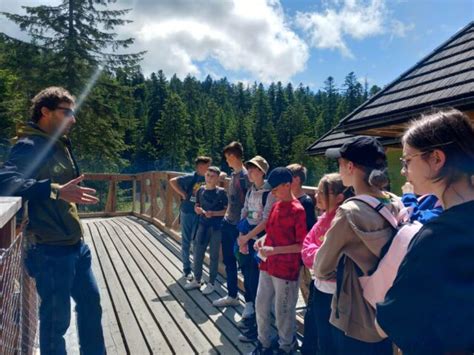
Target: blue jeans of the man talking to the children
62, 272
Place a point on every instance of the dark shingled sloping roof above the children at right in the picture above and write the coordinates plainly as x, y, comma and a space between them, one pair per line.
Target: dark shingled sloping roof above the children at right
444, 78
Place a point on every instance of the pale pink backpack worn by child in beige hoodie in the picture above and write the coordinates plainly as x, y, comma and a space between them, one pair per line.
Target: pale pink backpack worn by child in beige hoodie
376, 285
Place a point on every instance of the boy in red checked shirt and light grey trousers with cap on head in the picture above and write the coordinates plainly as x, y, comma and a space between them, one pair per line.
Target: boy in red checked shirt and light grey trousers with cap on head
278, 283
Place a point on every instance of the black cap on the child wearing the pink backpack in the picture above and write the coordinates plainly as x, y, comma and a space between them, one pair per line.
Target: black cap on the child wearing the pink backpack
362, 150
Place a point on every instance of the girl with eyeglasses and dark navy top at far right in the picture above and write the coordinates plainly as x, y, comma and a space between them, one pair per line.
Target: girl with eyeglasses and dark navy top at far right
430, 307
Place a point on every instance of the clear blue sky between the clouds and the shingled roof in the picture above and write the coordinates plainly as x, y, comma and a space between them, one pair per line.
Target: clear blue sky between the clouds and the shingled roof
383, 57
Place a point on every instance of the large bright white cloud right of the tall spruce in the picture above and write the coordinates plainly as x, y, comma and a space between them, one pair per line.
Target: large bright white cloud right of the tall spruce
243, 36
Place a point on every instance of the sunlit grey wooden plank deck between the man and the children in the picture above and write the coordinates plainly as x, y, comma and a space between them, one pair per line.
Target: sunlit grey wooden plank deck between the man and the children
145, 307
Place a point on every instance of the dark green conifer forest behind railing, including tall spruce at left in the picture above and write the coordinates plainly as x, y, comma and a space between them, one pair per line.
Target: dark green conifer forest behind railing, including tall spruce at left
129, 122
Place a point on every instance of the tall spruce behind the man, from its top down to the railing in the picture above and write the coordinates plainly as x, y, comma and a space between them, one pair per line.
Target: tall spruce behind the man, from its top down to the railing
75, 35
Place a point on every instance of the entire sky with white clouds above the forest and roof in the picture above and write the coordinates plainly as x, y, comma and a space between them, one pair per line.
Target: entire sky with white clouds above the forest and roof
288, 40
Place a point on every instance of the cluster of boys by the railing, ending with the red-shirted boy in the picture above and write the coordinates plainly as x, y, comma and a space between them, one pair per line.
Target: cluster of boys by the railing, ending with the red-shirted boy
260, 227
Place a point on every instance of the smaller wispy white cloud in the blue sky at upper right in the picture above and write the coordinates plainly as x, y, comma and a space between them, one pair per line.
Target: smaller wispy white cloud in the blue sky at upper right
341, 19
